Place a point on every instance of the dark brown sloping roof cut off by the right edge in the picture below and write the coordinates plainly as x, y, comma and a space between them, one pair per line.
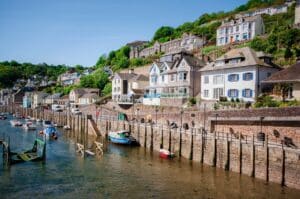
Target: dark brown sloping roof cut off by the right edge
288, 75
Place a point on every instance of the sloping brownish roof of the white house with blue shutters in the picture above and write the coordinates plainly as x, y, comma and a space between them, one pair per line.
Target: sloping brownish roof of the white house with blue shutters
250, 56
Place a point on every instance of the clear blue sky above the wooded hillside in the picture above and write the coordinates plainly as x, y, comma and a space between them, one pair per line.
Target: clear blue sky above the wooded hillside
78, 31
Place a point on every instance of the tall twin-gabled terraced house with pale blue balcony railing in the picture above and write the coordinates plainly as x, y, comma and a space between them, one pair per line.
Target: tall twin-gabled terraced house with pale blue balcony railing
173, 82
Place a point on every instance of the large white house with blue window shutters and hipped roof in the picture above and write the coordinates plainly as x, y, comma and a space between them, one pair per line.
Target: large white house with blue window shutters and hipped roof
236, 74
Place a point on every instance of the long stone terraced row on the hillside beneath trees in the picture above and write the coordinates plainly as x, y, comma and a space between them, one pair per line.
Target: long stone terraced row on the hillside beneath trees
187, 42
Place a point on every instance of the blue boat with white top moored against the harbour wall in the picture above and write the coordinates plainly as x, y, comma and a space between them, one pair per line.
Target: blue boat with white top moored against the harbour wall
121, 137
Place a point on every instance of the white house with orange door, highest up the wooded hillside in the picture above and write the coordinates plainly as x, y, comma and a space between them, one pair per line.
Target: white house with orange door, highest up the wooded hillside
240, 29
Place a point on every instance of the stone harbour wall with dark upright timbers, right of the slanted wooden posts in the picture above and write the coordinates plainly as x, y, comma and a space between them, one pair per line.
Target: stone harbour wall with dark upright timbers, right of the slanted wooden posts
268, 160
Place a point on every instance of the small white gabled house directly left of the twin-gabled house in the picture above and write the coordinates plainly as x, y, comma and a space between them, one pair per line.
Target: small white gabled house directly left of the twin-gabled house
128, 88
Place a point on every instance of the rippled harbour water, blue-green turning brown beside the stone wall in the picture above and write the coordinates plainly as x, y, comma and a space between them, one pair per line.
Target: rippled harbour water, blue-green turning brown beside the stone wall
122, 172
